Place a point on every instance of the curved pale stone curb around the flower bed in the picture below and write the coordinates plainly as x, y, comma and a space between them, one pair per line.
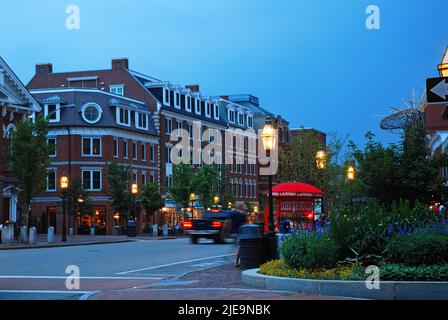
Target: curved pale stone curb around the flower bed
389, 290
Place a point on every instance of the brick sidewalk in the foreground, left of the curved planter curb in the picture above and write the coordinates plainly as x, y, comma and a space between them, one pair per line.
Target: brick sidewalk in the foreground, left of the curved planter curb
219, 283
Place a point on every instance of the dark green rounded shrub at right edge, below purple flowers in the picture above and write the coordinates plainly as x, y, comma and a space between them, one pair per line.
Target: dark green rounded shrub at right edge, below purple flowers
417, 248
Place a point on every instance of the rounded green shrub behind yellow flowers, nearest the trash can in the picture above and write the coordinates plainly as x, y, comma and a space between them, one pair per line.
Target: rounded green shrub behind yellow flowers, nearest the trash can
311, 251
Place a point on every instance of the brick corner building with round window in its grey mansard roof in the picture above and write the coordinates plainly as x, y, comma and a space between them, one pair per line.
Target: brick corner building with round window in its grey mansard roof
90, 128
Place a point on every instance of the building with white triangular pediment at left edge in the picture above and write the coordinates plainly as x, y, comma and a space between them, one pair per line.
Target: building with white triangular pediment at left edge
16, 103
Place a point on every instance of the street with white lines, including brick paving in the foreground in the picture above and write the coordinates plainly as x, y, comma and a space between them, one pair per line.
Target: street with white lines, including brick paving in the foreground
140, 270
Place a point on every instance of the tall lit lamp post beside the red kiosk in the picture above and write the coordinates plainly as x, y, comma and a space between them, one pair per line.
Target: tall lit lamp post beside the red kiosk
269, 137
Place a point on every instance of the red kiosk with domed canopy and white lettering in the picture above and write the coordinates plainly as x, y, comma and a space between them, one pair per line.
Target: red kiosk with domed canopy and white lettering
296, 201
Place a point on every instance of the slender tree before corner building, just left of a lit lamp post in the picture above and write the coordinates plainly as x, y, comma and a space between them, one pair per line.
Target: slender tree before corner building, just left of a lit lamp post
118, 179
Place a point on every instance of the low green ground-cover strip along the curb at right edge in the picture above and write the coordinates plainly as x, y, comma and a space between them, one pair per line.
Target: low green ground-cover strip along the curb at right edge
395, 272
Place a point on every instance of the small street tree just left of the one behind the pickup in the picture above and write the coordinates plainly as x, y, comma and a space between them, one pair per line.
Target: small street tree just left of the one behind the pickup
182, 184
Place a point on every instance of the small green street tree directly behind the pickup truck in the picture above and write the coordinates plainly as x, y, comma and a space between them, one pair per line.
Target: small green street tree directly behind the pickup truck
206, 185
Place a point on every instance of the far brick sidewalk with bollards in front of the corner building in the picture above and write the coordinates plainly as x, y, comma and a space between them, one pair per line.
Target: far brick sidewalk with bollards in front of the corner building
77, 241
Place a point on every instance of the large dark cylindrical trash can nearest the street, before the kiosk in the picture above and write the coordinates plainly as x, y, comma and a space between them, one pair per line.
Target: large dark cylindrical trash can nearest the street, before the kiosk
252, 247
